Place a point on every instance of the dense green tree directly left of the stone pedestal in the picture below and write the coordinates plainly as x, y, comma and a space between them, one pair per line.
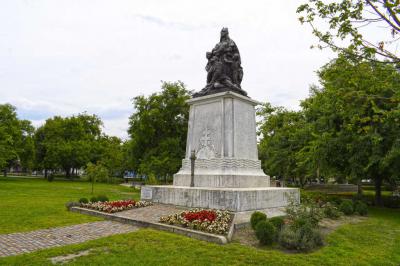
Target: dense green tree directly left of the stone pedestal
158, 129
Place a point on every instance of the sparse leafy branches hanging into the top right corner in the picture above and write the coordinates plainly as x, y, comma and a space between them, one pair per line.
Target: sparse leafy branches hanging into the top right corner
360, 28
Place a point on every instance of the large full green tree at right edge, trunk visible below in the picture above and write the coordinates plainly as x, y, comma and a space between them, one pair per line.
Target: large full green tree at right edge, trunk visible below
356, 113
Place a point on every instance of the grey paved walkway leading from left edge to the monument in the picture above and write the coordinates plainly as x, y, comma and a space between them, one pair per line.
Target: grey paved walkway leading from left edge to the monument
18, 243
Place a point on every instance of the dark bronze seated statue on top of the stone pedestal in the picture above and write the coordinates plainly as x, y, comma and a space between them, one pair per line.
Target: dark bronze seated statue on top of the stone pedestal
224, 70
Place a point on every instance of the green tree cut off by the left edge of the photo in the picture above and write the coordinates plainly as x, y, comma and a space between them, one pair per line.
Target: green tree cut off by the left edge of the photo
16, 144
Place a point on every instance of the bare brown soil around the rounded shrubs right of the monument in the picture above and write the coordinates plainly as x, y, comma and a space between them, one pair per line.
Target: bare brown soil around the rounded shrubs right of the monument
246, 236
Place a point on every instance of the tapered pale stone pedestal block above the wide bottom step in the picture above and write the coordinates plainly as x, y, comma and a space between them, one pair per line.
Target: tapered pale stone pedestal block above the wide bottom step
222, 131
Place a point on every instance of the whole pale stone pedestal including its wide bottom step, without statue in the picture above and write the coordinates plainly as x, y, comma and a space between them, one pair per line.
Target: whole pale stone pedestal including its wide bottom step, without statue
228, 174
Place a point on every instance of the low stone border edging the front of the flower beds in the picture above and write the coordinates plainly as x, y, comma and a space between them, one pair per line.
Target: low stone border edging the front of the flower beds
159, 226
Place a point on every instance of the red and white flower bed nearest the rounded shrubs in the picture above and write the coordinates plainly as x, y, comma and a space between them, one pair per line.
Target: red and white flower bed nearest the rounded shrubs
210, 221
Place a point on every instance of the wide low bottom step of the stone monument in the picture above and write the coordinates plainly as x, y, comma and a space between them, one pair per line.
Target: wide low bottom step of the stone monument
233, 199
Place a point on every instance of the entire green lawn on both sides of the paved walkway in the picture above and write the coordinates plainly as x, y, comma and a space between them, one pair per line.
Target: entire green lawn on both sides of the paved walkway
375, 241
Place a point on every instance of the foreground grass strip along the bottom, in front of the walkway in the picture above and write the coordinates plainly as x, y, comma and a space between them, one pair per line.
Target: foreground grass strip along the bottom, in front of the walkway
375, 241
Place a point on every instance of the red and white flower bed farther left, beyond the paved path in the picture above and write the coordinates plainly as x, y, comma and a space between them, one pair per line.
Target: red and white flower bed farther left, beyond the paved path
115, 206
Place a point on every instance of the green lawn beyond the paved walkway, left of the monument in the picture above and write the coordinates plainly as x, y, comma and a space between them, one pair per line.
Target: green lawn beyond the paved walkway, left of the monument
28, 204
